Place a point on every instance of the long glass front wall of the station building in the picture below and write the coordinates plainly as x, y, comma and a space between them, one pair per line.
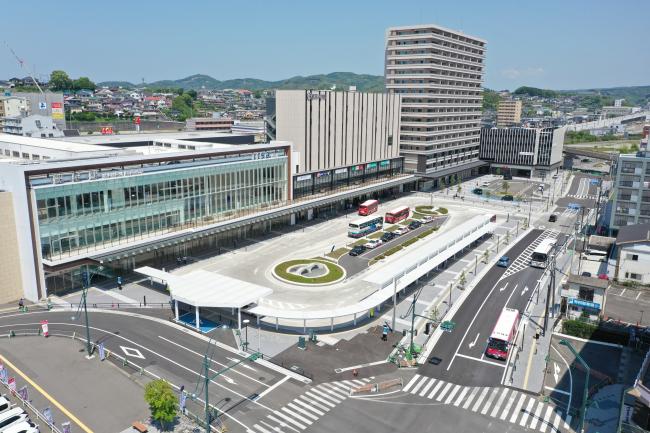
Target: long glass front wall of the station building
85, 215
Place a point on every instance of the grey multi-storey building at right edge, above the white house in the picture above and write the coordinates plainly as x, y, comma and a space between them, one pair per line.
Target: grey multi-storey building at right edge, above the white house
631, 202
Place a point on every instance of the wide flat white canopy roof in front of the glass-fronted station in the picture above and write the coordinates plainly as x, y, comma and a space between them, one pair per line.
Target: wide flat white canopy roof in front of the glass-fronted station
208, 289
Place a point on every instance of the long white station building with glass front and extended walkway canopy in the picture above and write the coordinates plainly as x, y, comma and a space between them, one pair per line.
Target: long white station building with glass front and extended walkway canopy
75, 213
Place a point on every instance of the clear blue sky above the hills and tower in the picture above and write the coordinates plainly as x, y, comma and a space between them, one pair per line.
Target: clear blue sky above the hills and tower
555, 44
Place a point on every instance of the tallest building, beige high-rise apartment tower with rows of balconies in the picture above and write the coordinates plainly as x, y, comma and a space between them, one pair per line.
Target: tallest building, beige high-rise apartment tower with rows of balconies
438, 72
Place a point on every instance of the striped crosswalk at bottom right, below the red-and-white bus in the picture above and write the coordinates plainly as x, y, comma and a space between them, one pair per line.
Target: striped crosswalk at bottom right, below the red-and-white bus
505, 404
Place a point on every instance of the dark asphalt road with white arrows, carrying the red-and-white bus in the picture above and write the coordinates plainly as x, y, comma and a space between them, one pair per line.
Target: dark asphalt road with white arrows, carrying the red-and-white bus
462, 349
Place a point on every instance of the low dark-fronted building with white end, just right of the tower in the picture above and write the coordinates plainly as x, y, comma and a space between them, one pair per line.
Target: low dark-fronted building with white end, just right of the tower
522, 151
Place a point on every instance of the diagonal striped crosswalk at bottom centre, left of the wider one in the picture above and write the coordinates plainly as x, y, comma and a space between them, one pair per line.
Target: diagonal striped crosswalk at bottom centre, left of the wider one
307, 408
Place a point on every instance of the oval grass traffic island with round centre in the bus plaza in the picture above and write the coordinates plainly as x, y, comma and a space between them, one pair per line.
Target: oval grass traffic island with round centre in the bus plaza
309, 272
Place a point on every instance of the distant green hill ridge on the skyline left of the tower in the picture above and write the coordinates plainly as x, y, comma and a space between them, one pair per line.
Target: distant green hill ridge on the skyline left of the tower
364, 82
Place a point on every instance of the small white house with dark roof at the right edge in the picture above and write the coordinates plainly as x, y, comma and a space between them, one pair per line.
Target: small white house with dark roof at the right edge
633, 254
